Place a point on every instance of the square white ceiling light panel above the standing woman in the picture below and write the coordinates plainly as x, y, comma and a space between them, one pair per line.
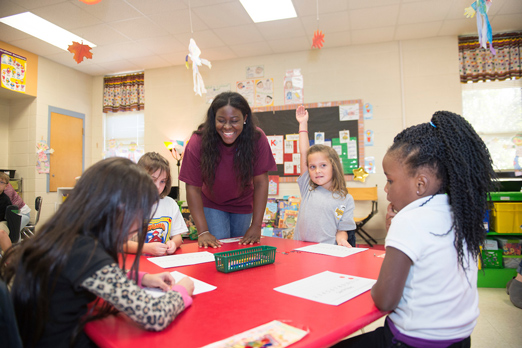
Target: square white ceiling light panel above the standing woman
269, 10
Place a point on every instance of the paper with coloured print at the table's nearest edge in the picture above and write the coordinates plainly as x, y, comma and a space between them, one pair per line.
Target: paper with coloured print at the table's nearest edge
279, 334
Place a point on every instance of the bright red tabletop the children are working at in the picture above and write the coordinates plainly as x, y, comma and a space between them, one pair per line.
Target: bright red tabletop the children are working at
245, 299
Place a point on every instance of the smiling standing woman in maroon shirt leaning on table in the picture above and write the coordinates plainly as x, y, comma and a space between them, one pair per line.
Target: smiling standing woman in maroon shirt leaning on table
225, 169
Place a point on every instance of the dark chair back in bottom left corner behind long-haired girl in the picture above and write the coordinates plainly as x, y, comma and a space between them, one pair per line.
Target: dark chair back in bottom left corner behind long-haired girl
8, 326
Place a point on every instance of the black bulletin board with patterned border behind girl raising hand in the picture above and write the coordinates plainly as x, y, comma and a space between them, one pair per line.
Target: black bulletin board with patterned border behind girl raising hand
323, 117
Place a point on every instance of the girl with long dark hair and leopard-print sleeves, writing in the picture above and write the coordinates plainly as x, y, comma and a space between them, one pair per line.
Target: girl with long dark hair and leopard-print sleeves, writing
74, 258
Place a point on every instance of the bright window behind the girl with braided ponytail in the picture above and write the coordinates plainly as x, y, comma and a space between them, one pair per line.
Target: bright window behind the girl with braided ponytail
495, 111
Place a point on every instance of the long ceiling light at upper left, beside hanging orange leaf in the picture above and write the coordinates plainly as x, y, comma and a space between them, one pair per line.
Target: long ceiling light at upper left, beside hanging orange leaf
44, 30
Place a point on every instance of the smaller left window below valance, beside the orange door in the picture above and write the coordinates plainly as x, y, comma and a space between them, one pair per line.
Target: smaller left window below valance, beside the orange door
124, 134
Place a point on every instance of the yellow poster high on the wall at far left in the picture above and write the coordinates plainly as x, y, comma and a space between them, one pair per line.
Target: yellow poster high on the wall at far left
13, 69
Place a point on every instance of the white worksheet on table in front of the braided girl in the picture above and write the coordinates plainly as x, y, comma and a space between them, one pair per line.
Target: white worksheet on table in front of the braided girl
328, 287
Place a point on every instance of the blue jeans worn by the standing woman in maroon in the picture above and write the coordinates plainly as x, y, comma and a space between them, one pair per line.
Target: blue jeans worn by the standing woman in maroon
226, 225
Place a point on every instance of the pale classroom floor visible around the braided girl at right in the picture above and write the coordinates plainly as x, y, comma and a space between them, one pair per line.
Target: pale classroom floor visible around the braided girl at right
499, 323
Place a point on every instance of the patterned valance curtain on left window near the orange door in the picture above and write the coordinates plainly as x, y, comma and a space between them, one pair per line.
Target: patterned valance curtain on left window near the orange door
124, 93
